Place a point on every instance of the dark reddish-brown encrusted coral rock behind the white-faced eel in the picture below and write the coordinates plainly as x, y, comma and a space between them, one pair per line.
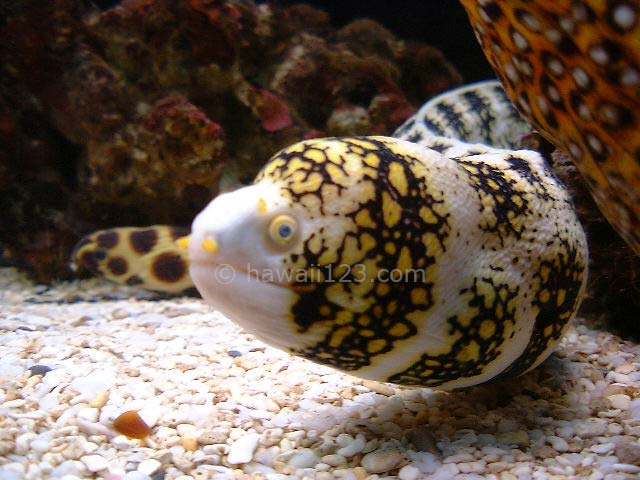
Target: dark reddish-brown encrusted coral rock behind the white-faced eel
139, 111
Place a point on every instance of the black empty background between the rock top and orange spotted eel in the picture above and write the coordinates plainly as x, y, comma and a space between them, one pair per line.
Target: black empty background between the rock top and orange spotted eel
442, 23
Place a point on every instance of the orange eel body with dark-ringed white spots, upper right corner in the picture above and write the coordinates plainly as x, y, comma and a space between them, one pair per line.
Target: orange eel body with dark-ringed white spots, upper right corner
573, 70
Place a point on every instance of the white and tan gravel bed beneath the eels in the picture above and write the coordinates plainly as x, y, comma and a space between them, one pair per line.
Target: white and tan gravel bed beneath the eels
224, 405
